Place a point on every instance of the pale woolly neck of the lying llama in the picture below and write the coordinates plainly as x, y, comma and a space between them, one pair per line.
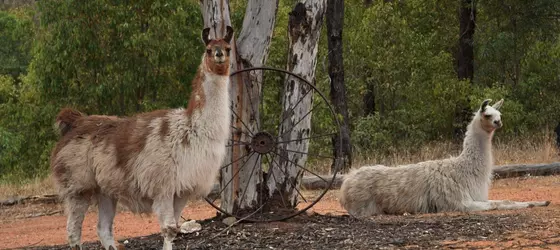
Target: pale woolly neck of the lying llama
477, 147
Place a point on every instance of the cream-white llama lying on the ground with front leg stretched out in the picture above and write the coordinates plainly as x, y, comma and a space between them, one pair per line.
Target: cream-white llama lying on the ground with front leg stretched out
455, 184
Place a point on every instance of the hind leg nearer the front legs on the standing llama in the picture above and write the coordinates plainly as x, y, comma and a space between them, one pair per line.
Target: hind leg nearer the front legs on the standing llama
107, 210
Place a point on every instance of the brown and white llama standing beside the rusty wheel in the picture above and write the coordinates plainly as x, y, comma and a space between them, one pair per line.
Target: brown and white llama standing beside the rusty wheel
151, 162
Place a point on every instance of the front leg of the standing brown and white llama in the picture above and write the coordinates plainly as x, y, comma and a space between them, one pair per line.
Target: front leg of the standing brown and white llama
164, 209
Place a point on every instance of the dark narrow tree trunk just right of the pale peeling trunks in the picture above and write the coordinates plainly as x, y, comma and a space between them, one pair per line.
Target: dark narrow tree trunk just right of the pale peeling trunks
342, 148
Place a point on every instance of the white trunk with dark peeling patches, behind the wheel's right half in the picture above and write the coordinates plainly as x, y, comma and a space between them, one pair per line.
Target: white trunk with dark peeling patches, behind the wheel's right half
304, 29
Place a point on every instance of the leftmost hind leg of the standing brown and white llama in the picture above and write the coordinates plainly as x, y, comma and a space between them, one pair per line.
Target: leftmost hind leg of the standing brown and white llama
76, 207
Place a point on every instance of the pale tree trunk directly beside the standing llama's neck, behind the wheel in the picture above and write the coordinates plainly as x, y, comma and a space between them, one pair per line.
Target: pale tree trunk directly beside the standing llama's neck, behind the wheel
251, 49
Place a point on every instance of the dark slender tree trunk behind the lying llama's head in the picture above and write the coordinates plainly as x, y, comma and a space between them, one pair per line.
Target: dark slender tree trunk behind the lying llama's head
465, 61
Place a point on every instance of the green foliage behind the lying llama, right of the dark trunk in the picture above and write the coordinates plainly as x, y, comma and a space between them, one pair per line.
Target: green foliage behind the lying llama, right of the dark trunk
404, 53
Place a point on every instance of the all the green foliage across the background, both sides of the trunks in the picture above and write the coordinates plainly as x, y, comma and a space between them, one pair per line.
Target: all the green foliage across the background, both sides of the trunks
111, 57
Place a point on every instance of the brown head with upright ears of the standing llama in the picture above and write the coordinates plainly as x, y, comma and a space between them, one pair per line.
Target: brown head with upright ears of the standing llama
217, 54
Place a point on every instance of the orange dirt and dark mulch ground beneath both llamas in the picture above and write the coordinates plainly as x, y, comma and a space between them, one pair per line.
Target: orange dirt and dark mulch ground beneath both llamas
327, 227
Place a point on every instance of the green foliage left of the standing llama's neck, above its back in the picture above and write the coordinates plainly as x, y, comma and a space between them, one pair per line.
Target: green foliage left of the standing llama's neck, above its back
101, 57
